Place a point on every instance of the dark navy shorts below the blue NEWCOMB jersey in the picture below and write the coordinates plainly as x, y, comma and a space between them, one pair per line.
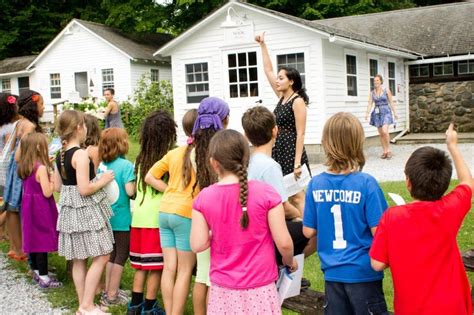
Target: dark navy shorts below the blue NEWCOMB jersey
361, 298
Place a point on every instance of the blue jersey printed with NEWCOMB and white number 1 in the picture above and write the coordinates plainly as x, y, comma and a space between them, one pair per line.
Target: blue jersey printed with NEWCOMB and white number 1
343, 208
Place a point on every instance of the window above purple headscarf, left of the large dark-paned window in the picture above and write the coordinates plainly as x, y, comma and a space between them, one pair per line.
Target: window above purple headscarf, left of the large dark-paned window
197, 82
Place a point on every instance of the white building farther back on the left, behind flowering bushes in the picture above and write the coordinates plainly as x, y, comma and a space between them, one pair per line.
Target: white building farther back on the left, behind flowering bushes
85, 58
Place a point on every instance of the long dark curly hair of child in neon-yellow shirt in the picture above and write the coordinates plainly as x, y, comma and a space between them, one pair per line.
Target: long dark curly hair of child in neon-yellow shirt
157, 137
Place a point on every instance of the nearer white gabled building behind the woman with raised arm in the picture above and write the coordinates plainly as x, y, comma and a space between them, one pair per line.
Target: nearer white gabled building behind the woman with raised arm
220, 59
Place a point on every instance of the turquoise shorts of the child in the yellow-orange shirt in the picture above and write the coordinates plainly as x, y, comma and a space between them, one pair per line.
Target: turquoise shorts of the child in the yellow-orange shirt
175, 231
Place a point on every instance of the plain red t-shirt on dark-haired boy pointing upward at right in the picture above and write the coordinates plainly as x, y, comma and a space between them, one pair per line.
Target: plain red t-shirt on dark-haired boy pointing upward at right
418, 242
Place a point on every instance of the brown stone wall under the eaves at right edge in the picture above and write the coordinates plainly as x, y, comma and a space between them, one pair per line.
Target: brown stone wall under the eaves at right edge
434, 105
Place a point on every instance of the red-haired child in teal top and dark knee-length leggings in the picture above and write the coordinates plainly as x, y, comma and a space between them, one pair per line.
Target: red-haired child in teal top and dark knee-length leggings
113, 146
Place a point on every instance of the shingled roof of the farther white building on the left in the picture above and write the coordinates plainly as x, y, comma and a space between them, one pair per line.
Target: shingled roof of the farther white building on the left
137, 46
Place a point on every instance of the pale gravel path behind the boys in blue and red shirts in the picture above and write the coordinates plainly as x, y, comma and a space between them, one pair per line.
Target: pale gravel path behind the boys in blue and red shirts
393, 170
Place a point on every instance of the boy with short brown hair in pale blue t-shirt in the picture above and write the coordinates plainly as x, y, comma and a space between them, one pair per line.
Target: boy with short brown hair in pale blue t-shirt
261, 130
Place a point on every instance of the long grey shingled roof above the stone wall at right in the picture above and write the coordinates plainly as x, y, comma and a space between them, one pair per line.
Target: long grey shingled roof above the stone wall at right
432, 31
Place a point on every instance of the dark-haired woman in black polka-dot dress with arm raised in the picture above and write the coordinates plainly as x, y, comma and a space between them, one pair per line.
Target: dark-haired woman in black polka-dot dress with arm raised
290, 114
